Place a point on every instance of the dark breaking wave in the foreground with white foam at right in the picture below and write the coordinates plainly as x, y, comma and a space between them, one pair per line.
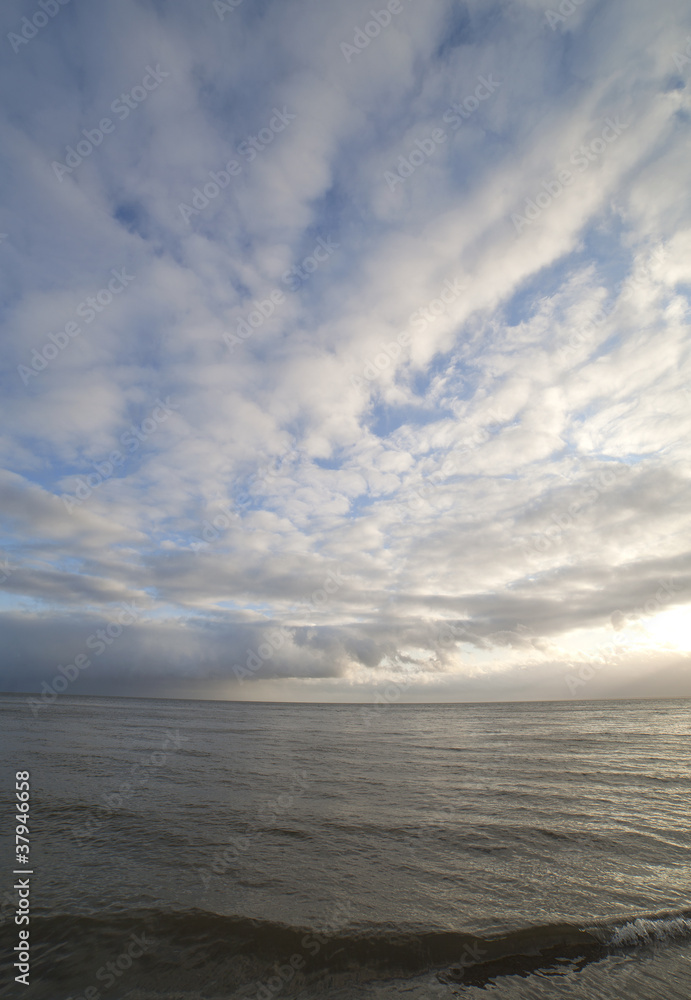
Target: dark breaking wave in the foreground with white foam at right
238, 951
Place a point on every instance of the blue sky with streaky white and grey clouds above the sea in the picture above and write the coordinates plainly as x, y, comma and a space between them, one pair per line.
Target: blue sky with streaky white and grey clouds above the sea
345, 350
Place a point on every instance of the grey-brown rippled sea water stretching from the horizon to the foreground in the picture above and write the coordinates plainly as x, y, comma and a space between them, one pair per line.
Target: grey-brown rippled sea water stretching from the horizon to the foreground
187, 849
